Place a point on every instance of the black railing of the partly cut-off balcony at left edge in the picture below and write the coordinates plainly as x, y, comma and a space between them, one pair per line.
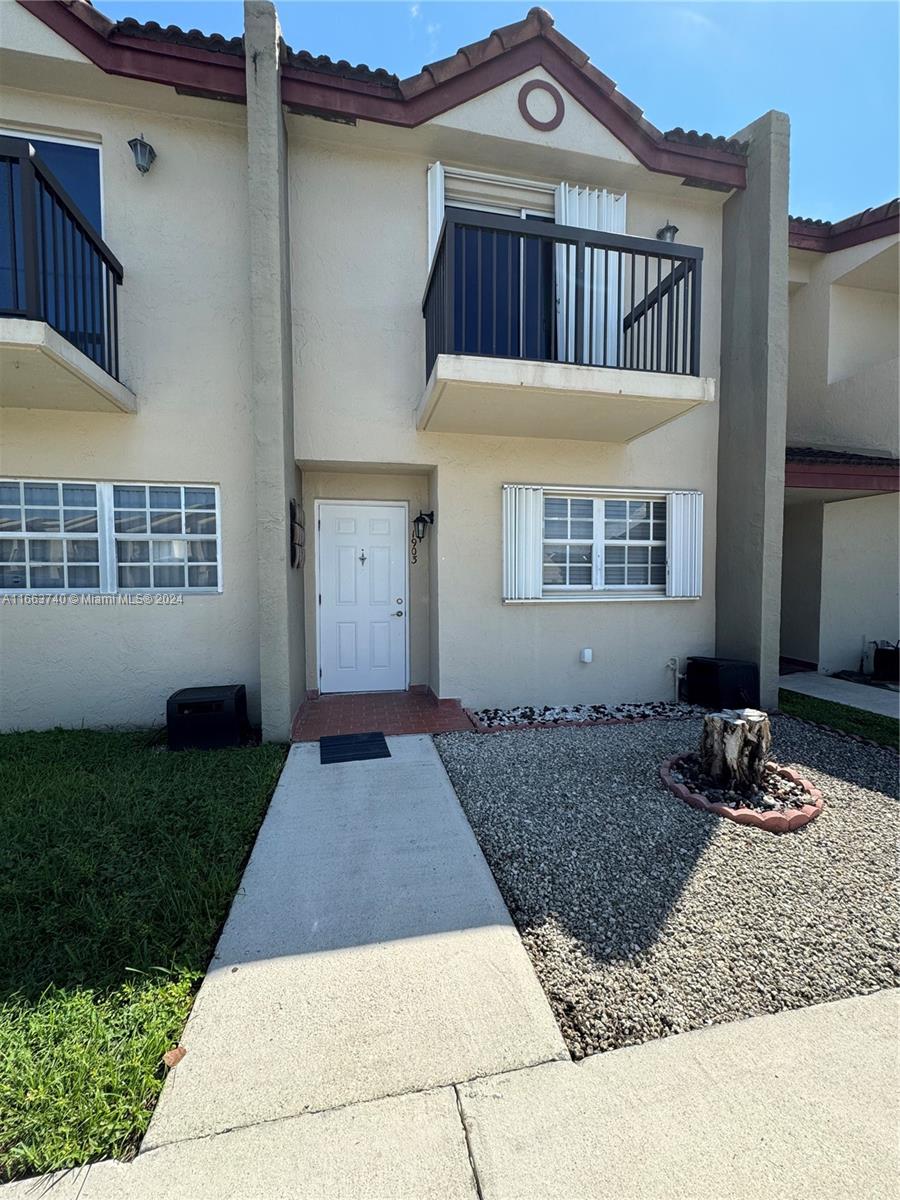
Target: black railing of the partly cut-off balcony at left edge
53, 265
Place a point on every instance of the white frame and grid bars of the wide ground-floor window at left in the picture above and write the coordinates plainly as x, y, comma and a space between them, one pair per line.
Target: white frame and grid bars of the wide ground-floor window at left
107, 538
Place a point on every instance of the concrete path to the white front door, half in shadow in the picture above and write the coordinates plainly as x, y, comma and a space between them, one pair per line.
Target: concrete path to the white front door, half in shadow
368, 953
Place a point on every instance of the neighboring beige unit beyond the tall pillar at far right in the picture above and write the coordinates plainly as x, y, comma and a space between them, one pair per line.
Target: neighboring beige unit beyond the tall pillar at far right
841, 575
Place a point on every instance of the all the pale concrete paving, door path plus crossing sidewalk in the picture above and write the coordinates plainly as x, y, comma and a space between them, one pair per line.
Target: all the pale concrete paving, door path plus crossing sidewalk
371, 1029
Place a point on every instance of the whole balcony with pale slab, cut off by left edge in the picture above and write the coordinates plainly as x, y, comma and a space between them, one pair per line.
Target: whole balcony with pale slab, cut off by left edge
59, 317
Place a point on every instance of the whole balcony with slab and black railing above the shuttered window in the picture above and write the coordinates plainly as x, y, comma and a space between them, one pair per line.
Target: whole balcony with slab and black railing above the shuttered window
535, 329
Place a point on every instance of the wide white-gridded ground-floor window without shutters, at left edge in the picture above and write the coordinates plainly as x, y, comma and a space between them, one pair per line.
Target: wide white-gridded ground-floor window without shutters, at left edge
81, 537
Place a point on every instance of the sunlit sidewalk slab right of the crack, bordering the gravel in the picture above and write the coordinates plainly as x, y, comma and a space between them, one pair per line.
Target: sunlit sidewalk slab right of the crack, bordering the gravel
801, 1105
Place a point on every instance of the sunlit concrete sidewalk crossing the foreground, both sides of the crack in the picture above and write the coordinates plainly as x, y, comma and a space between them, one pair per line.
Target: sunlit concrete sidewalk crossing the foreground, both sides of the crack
801, 1106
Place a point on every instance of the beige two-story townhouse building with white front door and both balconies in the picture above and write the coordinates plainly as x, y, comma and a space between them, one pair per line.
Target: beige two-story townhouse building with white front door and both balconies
491, 297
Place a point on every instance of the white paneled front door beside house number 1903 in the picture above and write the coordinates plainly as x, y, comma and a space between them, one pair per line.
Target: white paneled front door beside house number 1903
363, 597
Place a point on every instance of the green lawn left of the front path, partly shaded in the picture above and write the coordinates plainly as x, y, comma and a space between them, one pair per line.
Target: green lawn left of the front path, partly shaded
118, 862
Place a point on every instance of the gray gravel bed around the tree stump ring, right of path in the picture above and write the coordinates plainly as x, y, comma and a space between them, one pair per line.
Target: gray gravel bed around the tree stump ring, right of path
645, 917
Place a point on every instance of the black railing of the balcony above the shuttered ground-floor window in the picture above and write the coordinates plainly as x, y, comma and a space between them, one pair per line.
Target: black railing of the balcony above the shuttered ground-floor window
532, 290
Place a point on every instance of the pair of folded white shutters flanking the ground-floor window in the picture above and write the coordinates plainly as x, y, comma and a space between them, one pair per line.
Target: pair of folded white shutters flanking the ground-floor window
524, 543
